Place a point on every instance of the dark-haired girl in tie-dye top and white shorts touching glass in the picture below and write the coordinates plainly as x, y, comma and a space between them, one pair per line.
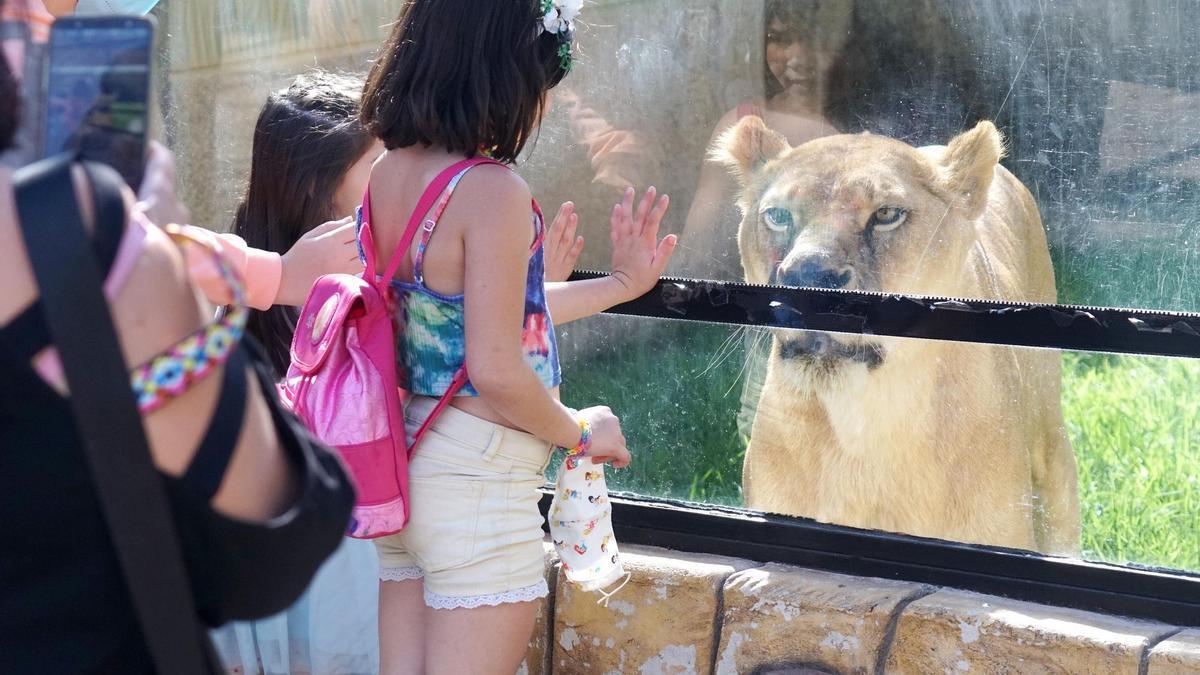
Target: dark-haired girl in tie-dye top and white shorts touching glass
457, 93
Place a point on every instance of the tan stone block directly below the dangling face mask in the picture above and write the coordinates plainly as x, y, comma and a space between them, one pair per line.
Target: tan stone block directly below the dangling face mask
662, 623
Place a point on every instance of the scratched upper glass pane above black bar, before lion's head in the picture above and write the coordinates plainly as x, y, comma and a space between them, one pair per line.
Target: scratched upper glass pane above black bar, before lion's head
1097, 104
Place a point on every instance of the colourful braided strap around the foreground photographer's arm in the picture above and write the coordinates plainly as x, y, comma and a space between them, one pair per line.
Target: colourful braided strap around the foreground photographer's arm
176, 371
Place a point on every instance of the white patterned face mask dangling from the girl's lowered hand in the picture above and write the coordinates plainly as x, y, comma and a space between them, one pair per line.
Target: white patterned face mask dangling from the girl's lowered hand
581, 527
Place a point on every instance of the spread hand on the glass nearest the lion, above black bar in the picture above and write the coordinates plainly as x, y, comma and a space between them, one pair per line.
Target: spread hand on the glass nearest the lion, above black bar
639, 258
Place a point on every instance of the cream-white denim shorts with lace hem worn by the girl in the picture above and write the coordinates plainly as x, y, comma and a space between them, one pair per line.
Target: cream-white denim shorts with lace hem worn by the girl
475, 535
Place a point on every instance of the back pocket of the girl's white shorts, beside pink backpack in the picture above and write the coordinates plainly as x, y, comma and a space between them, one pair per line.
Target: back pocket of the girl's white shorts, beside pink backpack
446, 518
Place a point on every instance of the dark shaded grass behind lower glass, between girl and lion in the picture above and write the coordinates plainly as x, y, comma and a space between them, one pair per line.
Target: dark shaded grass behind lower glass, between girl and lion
677, 398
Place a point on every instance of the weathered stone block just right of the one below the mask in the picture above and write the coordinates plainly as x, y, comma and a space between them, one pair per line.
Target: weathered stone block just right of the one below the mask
787, 616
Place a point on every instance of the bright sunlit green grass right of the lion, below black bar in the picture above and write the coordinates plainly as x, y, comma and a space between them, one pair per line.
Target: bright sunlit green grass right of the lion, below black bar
1136, 427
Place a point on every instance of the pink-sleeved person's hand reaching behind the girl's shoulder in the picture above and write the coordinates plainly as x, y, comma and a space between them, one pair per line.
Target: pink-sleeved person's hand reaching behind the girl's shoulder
327, 249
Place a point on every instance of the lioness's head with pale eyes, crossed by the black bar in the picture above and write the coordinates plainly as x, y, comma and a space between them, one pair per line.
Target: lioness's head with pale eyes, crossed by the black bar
857, 213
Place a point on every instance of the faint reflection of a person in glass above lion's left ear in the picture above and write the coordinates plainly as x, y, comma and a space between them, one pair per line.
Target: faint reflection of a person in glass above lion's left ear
801, 41
